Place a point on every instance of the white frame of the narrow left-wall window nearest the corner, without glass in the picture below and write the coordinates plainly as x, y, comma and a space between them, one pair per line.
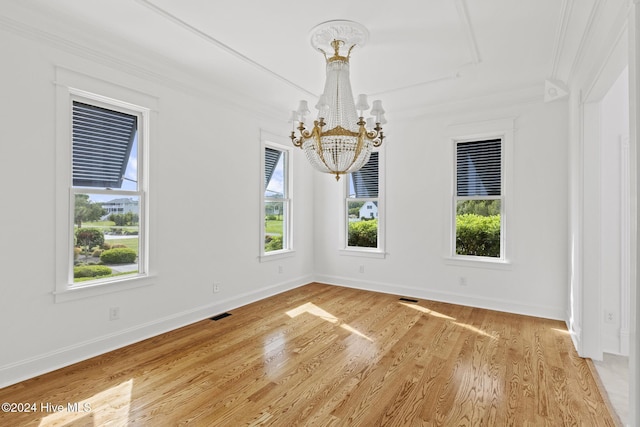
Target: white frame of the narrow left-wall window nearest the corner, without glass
273, 142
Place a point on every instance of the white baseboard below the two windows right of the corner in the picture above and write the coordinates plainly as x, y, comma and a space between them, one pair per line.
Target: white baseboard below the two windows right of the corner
448, 297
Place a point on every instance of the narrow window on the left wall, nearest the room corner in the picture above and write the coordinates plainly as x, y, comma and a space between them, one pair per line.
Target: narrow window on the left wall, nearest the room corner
276, 200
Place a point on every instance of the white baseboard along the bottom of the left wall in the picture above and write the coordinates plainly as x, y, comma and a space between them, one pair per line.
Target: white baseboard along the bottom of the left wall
59, 358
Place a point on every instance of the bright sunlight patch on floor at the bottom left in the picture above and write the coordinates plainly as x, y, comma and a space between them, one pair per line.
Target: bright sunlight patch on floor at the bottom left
108, 406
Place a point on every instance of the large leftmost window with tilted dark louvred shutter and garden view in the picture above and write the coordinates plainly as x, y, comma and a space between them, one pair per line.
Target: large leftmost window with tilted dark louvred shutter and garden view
107, 192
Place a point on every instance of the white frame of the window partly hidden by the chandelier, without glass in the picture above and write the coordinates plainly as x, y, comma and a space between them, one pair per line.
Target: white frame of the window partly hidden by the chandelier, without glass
344, 248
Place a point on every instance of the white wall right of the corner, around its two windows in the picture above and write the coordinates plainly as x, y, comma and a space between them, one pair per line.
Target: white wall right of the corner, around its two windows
419, 179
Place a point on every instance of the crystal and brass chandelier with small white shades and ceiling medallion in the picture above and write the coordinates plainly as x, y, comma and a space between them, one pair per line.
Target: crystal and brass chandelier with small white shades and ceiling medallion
340, 141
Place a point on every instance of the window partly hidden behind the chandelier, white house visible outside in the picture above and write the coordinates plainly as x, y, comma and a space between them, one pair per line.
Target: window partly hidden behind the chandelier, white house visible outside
362, 205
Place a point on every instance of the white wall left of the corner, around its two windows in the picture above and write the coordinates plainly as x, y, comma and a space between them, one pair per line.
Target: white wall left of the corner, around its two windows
205, 204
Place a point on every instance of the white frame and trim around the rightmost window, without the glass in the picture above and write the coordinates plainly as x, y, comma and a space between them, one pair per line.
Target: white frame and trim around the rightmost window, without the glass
502, 129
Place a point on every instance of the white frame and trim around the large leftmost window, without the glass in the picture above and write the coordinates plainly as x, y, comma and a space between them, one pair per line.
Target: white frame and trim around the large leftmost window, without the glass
72, 87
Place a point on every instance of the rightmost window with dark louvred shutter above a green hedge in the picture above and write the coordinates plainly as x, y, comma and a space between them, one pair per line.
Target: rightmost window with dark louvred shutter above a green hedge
479, 199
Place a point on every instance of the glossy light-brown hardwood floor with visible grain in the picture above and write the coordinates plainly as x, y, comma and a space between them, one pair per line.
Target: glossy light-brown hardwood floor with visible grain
326, 355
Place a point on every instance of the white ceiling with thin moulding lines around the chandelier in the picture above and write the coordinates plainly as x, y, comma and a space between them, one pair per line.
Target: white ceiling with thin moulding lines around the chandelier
421, 53
